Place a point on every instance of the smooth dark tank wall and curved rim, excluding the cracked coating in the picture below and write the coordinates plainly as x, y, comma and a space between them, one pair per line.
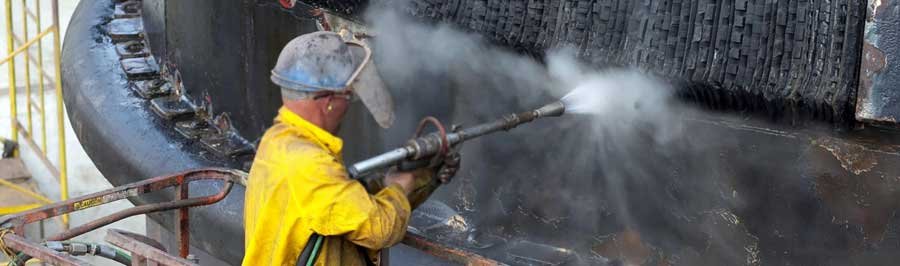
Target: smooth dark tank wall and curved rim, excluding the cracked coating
729, 191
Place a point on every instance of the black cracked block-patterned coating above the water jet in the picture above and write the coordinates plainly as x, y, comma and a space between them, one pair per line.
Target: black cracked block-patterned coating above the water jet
790, 61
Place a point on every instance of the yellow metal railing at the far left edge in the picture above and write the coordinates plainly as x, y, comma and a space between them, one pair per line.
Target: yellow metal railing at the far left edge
21, 46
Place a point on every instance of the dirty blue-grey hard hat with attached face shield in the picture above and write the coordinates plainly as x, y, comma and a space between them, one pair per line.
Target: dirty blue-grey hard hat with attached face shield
326, 61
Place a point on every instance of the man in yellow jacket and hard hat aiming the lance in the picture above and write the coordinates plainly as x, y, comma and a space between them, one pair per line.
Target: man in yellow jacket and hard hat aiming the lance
298, 185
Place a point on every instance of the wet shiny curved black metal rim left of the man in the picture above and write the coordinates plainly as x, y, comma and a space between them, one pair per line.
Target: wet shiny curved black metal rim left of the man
98, 87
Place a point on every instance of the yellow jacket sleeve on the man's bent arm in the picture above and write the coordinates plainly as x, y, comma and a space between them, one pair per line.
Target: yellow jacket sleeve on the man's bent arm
334, 204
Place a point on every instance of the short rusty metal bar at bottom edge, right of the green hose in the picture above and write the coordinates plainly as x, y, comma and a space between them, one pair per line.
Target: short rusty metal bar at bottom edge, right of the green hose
143, 249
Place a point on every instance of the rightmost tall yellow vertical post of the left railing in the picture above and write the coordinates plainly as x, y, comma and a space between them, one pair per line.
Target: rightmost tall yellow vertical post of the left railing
60, 113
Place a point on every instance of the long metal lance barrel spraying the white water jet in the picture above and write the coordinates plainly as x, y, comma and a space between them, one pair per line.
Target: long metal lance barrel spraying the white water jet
430, 145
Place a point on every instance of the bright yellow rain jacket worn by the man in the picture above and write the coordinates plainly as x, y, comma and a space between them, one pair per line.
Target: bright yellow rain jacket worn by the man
298, 185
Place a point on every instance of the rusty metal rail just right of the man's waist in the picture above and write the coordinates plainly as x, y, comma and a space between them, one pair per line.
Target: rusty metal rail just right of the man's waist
447, 252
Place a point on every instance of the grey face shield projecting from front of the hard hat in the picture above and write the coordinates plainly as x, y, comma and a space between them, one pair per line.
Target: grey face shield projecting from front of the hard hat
372, 91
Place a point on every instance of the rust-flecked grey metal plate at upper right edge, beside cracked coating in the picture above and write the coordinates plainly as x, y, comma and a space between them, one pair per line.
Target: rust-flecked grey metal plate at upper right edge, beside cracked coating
878, 97
